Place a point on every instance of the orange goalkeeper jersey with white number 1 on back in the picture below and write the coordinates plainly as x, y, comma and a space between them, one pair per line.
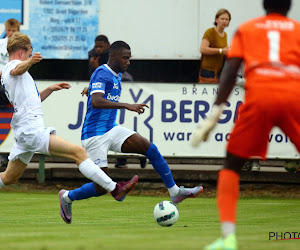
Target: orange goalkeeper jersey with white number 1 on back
270, 48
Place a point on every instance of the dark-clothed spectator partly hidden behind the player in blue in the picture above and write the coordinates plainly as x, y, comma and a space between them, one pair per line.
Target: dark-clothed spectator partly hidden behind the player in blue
98, 56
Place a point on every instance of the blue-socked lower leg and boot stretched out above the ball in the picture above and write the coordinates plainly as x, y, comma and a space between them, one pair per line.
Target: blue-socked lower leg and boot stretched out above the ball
162, 168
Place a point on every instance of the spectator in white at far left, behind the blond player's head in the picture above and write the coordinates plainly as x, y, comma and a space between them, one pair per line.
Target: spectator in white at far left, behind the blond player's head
11, 26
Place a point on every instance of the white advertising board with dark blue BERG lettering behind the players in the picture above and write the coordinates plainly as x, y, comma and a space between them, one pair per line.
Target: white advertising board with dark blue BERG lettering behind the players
174, 111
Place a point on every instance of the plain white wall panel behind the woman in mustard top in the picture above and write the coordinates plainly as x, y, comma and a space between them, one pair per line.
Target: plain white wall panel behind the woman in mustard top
172, 29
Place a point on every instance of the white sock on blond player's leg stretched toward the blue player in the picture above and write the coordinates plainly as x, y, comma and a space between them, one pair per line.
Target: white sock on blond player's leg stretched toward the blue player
91, 171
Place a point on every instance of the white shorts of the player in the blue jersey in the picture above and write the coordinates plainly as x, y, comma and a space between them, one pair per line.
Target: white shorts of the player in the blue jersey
97, 147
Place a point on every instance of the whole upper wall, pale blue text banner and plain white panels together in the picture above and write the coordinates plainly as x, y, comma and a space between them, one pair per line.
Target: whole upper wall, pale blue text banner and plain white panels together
156, 29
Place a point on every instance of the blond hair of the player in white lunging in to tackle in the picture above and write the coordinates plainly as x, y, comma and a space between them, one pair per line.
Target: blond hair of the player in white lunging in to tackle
18, 41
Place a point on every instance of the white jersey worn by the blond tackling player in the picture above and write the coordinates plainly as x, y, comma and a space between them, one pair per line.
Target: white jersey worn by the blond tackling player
23, 94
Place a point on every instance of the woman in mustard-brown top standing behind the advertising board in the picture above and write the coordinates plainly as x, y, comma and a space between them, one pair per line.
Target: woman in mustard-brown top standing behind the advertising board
214, 48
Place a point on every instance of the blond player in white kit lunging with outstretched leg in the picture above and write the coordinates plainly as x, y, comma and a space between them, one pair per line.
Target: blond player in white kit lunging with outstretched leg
27, 123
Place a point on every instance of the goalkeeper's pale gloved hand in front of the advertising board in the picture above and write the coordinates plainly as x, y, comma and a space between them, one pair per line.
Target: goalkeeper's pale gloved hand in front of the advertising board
202, 132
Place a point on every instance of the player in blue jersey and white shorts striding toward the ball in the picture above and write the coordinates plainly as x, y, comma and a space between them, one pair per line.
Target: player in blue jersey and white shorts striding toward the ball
100, 132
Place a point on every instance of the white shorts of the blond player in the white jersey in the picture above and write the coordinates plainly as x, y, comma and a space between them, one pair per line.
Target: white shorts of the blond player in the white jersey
29, 141
